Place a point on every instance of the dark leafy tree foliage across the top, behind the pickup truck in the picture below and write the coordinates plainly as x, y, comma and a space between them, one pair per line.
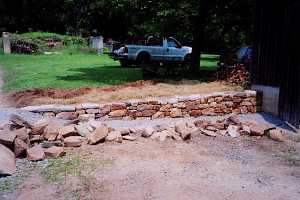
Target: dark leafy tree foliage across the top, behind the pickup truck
228, 23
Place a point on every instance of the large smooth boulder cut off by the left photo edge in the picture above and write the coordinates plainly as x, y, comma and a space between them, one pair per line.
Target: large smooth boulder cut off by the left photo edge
7, 161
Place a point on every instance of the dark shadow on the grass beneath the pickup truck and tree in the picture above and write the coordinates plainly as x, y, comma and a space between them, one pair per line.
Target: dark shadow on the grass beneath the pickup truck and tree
114, 75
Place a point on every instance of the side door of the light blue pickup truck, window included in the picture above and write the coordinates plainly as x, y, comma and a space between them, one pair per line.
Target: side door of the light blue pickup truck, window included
172, 50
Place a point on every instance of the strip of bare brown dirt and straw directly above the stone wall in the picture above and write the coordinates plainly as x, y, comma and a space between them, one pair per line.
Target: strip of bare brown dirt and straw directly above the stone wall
135, 90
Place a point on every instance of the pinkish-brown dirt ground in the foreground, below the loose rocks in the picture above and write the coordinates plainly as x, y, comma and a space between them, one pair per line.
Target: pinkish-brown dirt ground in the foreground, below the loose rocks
204, 168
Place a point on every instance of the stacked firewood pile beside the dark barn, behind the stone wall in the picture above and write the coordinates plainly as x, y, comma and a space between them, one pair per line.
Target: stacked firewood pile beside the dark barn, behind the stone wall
237, 75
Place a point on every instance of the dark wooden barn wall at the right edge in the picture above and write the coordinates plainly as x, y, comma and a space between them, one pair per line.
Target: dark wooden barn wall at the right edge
276, 54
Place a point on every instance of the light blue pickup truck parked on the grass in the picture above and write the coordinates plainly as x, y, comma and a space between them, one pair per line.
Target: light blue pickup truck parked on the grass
155, 50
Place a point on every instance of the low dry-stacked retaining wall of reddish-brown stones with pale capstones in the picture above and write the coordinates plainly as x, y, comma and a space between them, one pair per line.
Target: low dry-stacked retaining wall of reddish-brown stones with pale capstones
220, 103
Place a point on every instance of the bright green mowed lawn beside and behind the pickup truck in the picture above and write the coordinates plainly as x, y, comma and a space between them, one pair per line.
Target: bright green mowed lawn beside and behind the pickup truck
71, 71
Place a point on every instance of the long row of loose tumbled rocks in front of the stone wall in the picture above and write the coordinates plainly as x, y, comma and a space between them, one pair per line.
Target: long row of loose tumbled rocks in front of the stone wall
47, 138
